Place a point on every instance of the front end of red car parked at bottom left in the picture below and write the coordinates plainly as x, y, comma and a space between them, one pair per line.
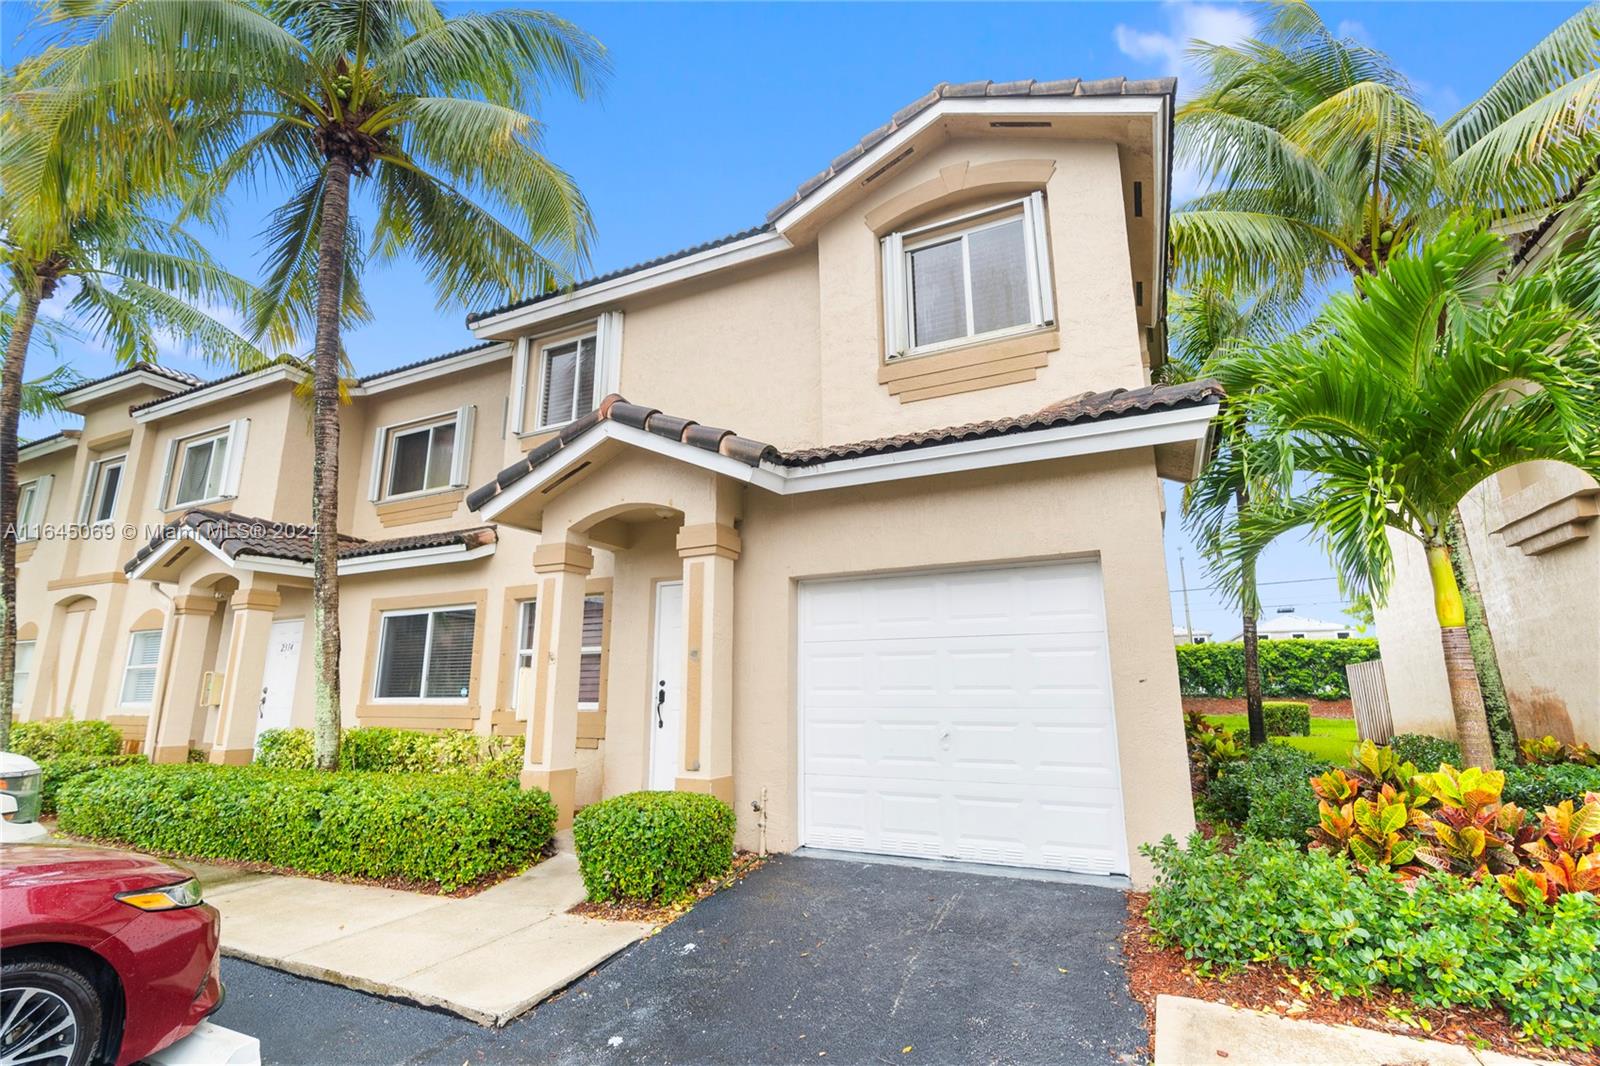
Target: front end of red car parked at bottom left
105, 956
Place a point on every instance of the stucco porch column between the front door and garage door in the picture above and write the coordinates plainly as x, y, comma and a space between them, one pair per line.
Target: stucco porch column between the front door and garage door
710, 553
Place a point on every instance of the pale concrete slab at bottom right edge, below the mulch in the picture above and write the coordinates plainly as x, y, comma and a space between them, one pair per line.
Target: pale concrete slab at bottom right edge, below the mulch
1193, 1033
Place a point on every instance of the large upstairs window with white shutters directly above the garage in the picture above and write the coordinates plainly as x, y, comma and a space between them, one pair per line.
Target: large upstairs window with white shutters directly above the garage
978, 276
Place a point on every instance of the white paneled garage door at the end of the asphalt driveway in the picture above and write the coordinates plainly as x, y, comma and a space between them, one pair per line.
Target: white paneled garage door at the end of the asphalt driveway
962, 716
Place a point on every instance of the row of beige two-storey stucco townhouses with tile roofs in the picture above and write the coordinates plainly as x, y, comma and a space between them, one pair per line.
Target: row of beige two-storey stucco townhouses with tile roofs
940, 639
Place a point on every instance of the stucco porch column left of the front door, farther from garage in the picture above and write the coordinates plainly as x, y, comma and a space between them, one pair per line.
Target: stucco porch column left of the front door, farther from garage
550, 758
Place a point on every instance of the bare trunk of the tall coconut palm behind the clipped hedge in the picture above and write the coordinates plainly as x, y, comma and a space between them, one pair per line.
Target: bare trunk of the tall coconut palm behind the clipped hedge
326, 459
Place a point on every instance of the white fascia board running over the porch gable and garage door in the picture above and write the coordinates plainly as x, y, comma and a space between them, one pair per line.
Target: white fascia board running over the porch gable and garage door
1130, 431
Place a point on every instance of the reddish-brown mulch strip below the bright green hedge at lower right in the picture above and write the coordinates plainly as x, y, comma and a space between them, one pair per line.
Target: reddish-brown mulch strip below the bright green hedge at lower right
1158, 971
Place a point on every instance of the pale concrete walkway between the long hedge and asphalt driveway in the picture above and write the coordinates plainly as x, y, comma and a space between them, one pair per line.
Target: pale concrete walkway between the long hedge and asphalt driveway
487, 958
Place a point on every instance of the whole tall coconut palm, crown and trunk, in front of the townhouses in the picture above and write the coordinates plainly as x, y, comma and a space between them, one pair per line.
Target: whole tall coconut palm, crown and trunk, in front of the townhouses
425, 113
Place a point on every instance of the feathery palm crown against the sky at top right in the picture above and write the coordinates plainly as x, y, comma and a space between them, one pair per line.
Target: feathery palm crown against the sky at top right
1324, 162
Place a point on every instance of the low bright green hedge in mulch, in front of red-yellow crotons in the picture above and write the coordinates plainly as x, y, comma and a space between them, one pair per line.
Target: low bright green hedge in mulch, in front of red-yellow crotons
1442, 940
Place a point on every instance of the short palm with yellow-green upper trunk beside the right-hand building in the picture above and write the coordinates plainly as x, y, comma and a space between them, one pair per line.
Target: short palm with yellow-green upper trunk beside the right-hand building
1407, 395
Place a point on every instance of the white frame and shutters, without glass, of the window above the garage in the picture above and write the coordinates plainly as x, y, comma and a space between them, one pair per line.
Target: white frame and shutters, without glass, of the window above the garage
898, 247
